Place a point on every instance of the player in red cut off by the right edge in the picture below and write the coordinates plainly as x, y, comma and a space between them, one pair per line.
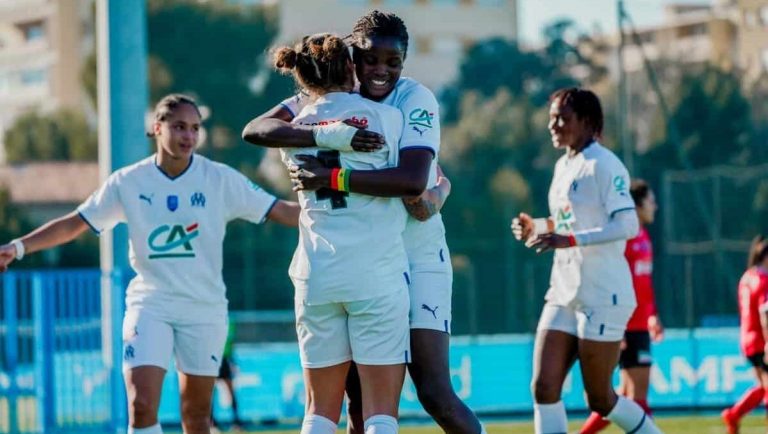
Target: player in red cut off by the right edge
753, 310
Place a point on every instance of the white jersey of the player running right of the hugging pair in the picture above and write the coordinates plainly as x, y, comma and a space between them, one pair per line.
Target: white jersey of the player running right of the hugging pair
586, 191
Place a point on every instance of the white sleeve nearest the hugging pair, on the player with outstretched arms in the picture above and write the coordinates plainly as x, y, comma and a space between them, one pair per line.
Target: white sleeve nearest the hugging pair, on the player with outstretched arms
244, 199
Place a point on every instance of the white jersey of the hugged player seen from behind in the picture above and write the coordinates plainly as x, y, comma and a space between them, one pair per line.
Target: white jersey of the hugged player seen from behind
350, 245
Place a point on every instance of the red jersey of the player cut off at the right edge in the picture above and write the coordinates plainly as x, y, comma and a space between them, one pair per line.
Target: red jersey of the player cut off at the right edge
753, 295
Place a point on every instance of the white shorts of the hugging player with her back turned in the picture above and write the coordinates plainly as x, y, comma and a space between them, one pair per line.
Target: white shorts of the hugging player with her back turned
370, 332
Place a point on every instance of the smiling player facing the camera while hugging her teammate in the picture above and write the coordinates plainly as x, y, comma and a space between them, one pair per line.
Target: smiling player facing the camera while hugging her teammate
380, 44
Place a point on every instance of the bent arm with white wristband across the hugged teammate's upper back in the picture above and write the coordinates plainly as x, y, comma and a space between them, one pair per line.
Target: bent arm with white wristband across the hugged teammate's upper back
274, 129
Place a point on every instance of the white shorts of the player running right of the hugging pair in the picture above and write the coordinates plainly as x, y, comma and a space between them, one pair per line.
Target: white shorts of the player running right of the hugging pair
601, 323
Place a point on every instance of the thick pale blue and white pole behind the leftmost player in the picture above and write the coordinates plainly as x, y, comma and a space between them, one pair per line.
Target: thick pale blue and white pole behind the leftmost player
122, 102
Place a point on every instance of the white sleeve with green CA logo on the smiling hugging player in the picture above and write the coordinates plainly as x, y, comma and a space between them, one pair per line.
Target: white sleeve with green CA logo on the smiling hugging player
421, 115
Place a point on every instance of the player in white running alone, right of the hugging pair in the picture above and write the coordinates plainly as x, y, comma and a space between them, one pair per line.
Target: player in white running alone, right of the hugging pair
590, 297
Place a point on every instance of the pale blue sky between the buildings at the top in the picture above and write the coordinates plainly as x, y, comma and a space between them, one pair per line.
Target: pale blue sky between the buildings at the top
588, 14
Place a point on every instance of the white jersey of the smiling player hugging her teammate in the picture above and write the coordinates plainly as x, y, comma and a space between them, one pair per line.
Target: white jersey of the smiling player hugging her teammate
421, 114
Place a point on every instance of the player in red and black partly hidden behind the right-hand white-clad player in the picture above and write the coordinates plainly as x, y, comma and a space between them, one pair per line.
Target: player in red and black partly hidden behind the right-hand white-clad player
644, 325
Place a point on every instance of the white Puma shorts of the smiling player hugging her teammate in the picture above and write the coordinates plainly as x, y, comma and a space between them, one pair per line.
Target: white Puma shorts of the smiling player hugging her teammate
430, 294
